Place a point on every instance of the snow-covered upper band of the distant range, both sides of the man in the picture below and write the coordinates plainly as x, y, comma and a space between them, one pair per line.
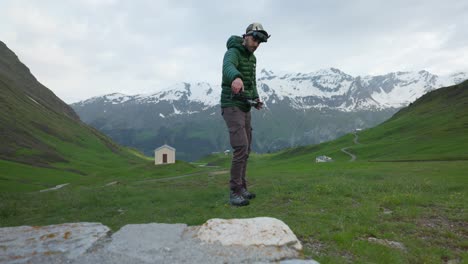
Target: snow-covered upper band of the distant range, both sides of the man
327, 88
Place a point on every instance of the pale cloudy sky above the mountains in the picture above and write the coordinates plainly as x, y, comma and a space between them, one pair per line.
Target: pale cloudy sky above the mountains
85, 48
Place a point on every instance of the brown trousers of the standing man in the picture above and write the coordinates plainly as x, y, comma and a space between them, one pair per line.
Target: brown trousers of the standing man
240, 137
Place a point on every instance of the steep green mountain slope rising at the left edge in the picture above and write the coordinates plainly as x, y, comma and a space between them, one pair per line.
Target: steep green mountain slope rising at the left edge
39, 129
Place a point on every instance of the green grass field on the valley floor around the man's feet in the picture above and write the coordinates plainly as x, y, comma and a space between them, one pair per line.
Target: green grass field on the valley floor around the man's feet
338, 210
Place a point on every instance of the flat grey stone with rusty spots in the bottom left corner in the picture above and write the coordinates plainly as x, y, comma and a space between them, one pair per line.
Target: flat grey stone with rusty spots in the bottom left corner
20, 244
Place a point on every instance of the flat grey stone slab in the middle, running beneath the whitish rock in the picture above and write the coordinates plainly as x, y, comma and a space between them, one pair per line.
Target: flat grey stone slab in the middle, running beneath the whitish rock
178, 243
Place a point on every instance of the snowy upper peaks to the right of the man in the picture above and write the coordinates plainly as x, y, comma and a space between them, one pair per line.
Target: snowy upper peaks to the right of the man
335, 89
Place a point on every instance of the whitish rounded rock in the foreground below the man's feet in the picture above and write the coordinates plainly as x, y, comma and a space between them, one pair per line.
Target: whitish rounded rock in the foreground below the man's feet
260, 231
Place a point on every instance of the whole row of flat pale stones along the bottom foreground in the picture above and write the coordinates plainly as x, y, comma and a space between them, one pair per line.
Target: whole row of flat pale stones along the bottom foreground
255, 240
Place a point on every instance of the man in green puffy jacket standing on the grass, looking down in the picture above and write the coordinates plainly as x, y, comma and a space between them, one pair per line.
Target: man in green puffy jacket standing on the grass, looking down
239, 94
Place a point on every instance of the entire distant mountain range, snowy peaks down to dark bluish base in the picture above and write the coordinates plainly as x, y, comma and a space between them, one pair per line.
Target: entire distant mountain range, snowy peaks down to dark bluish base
300, 109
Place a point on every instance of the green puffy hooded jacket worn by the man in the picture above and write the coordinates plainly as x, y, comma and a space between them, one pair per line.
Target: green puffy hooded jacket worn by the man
238, 62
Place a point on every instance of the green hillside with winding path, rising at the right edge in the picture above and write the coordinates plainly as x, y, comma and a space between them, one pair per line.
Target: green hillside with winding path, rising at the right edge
432, 128
